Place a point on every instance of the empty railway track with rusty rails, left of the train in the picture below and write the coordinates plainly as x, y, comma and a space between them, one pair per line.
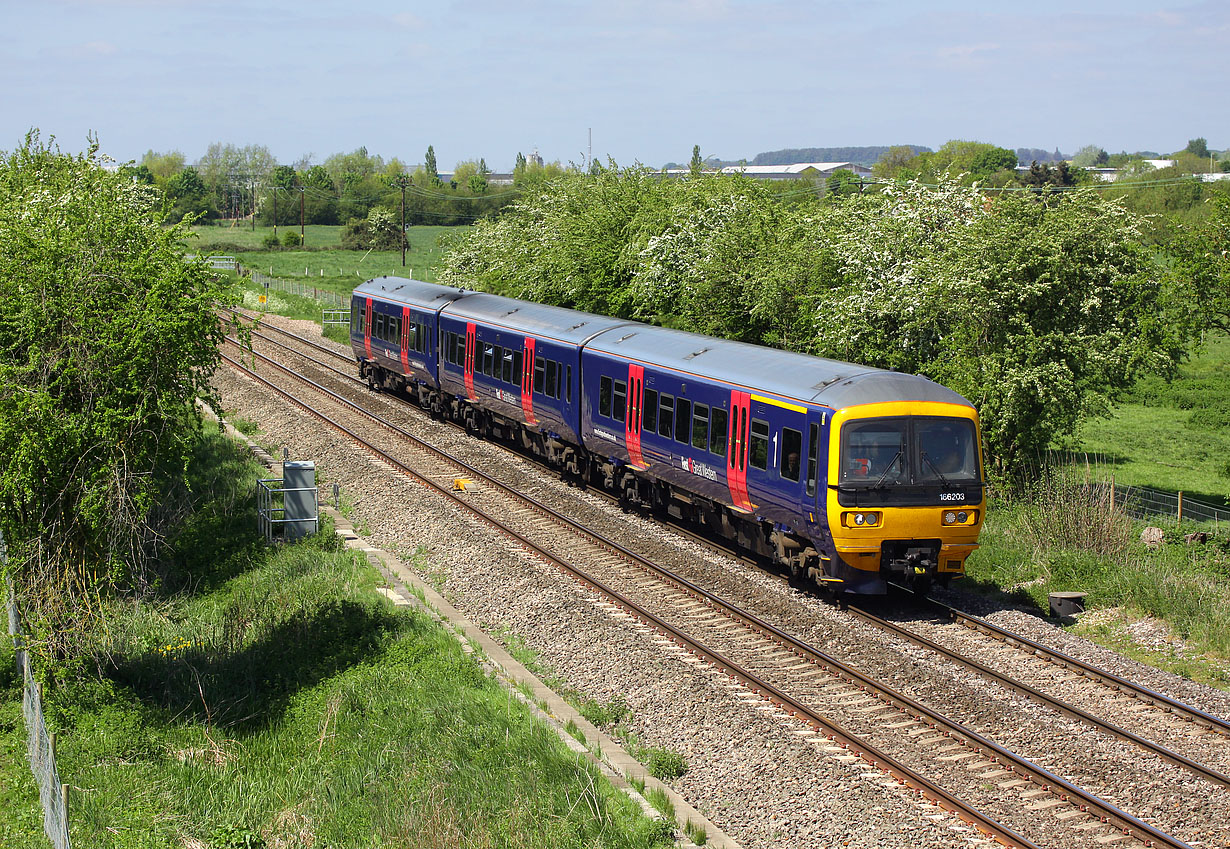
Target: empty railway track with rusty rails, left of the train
807, 684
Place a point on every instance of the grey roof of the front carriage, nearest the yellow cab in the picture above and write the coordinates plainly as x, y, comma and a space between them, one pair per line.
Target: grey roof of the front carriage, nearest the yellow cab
794, 376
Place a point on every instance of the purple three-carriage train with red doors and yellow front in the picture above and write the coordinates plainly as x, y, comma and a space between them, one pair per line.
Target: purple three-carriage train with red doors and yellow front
852, 478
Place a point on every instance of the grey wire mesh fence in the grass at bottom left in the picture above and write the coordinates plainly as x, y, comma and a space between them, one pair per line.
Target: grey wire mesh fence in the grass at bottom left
40, 743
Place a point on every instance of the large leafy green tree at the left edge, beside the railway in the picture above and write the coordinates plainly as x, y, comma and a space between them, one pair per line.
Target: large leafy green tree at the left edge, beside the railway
108, 337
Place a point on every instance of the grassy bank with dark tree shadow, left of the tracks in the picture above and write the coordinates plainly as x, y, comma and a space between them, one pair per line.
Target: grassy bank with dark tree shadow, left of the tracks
274, 700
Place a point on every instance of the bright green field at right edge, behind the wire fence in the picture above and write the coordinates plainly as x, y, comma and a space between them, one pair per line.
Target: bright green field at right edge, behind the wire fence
1172, 436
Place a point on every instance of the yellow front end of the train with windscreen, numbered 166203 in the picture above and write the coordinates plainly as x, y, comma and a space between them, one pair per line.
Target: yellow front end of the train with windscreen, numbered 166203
906, 495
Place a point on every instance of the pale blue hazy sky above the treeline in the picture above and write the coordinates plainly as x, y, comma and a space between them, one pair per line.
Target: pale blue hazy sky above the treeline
645, 79
